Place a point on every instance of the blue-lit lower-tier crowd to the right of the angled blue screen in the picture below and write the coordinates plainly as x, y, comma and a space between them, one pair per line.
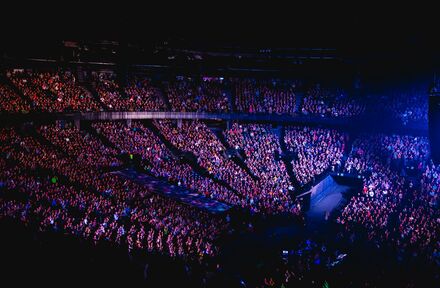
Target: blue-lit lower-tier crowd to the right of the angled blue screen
395, 210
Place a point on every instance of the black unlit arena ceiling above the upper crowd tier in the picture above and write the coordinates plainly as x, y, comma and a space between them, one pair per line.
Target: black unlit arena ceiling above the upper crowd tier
358, 38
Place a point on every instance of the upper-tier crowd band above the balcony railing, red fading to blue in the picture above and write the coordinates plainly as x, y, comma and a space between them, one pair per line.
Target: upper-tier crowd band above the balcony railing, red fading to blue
61, 92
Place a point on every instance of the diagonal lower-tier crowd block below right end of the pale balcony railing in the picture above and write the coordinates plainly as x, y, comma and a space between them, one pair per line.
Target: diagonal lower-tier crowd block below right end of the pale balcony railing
197, 138
